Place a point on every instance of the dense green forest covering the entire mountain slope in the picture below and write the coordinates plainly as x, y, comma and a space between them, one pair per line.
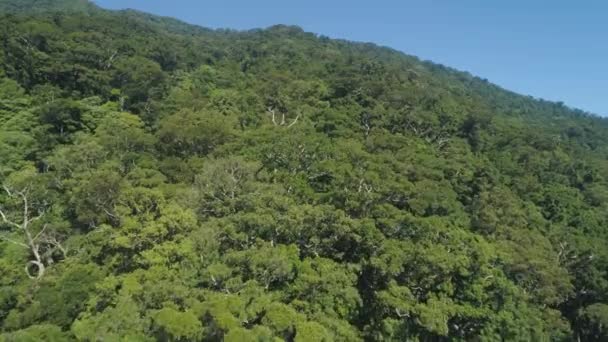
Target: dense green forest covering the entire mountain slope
167, 182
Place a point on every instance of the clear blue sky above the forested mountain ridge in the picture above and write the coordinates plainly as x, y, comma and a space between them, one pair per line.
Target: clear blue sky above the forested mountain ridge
553, 49
